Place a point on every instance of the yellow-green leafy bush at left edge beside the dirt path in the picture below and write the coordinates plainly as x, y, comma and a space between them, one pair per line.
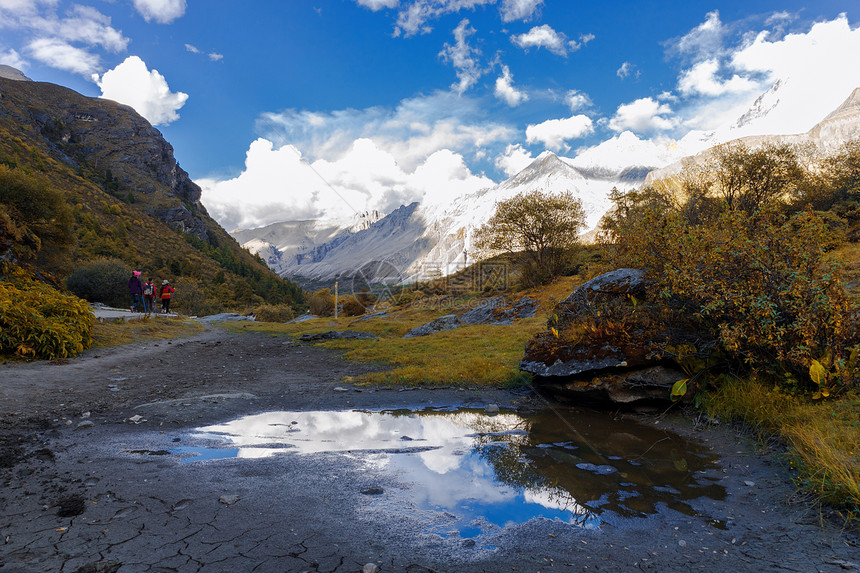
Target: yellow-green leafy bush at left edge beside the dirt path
36, 320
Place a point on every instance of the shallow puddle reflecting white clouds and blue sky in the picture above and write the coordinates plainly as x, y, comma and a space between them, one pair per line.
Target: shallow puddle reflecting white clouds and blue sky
483, 472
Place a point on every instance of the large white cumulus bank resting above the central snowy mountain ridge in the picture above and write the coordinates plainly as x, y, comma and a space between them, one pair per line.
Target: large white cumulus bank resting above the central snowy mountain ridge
279, 184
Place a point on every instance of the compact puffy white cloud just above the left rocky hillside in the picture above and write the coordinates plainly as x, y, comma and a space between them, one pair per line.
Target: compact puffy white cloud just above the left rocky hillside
132, 83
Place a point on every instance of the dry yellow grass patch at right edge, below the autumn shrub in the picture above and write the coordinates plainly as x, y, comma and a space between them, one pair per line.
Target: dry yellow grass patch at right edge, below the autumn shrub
823, 436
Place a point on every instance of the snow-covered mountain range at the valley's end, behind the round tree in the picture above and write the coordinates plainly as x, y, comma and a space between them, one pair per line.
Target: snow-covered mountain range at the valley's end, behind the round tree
423, 241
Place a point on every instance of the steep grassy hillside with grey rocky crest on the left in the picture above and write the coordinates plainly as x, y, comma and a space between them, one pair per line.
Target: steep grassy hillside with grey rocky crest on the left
123, 197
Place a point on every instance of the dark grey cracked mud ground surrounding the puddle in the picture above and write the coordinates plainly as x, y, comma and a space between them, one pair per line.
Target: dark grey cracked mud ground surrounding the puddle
83, 495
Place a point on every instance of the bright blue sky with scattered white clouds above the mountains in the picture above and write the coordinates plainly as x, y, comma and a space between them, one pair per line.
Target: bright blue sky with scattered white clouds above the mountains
386, 101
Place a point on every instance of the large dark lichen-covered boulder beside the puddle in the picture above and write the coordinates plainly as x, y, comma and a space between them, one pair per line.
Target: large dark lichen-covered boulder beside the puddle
612, 361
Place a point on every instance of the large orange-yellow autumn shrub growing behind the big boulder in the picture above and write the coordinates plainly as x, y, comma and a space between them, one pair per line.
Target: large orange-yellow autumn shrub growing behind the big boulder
760, 282
